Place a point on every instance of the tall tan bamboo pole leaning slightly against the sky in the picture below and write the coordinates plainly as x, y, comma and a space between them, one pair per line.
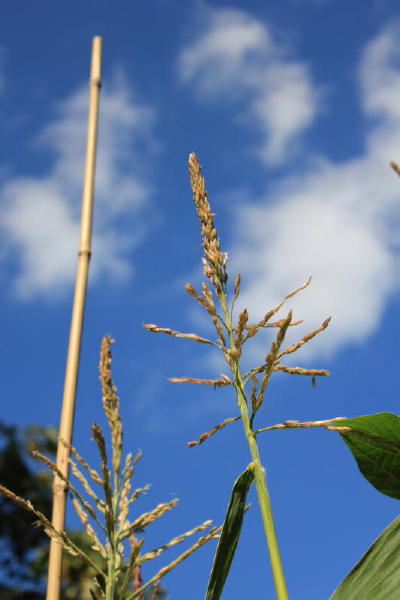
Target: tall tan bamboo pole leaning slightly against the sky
75, 336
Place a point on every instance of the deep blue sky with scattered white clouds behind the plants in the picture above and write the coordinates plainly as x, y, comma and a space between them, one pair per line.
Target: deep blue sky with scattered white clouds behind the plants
293, 109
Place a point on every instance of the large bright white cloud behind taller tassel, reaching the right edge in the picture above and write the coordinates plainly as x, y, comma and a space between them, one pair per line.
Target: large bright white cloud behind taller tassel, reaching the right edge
338, 222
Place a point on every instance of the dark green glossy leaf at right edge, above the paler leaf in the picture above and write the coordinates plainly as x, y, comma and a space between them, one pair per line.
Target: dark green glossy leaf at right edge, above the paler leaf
374, 441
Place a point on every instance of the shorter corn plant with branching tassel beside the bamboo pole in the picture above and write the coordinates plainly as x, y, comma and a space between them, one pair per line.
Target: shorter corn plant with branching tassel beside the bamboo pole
103, 502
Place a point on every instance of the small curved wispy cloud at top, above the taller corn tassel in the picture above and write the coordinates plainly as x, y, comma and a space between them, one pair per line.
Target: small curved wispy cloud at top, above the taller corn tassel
236, 58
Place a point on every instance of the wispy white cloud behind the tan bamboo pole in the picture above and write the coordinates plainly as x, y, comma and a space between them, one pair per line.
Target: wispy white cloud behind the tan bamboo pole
39, 220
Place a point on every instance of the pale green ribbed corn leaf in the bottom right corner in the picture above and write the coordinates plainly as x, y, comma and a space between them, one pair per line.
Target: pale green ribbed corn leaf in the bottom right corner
376, 576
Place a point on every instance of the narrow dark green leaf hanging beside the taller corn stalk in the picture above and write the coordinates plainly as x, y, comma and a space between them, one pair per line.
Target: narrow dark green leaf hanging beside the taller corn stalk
230, 534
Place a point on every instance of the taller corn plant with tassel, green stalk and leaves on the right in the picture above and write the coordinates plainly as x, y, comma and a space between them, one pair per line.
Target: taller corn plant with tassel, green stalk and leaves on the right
371, 438
